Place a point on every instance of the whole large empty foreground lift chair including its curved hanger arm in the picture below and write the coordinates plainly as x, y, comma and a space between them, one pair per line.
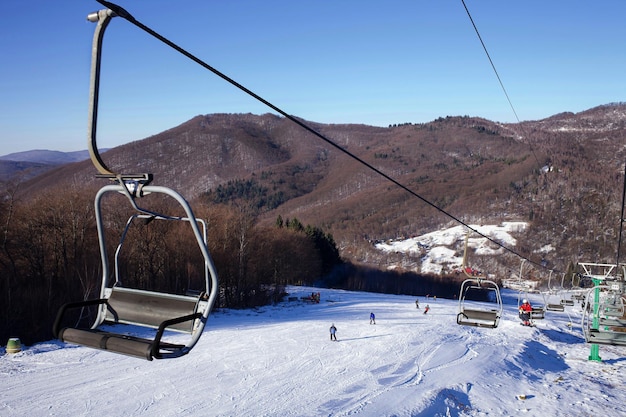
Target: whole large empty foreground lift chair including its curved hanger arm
134, 308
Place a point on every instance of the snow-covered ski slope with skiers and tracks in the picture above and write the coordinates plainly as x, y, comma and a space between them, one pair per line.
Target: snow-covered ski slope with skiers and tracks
279, 361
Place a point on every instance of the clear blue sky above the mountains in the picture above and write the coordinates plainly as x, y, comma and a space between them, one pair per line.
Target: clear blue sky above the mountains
370, 62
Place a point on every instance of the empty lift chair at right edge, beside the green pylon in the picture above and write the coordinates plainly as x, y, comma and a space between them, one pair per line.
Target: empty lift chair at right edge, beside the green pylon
603, 322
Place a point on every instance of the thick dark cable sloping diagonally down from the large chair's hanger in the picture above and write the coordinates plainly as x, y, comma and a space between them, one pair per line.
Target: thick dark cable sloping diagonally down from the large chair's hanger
121, 12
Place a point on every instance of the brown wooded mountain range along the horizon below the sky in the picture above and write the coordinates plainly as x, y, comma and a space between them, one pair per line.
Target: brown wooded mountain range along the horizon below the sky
563, 175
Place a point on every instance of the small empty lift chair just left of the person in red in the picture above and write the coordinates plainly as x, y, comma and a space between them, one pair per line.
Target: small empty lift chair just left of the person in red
478, 314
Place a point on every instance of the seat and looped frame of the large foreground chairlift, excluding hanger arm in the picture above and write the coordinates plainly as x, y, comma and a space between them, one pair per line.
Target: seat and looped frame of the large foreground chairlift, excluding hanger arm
150, 312
